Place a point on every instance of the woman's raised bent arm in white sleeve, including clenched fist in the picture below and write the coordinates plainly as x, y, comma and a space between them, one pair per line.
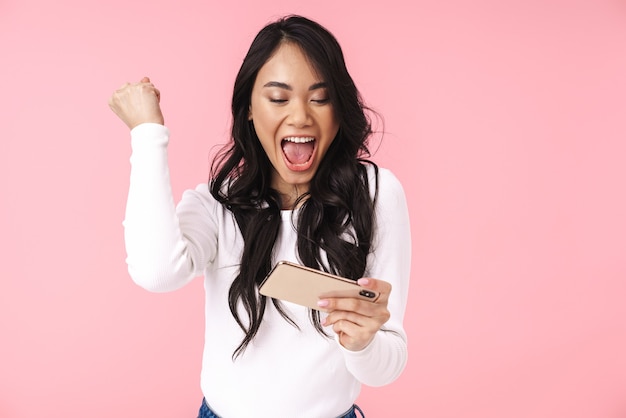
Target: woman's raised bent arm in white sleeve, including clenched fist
161, 256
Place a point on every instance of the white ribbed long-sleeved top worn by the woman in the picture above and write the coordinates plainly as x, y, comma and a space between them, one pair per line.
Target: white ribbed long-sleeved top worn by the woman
284, 372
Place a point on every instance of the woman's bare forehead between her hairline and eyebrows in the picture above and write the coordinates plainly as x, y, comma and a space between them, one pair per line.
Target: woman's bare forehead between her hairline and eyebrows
289, 64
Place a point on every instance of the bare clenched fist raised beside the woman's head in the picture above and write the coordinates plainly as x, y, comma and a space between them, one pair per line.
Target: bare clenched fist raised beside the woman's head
137, 103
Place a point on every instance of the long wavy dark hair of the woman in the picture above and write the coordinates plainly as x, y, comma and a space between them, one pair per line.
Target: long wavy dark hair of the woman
335, 219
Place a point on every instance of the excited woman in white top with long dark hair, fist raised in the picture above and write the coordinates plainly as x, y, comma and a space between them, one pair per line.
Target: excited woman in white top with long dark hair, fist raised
292, 185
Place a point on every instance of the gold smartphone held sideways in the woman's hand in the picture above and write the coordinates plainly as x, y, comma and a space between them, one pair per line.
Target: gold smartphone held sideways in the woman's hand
305, 286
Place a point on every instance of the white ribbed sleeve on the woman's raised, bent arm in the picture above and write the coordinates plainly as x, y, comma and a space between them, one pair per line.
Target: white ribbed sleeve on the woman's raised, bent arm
161, 256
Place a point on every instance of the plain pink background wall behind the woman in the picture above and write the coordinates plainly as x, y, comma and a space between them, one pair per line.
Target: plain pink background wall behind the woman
505, 120
